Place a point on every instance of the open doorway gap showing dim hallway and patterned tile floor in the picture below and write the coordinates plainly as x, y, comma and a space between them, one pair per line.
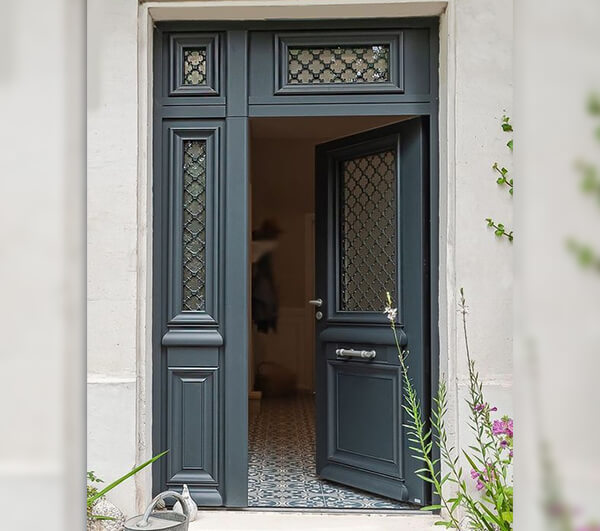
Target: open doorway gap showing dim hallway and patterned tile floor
281, 379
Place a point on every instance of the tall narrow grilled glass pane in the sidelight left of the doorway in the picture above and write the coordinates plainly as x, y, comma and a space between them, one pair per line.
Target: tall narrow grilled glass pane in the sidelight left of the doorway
194, 226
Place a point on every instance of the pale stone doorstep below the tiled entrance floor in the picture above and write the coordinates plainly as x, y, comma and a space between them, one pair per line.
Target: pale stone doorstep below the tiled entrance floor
244, 520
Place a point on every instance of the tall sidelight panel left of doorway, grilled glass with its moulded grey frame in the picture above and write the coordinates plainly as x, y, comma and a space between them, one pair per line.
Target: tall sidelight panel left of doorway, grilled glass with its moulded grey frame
195, 168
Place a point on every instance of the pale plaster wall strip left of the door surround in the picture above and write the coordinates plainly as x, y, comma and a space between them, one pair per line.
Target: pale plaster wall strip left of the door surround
112, 242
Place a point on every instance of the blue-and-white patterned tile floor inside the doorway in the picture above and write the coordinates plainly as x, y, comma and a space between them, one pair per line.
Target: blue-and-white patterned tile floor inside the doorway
282, 461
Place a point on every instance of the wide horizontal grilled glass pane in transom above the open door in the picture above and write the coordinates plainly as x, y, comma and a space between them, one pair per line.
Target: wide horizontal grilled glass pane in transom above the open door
339, 64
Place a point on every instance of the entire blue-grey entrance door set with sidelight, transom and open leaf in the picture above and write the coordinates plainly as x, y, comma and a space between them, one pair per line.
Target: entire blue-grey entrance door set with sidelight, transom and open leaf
211, 79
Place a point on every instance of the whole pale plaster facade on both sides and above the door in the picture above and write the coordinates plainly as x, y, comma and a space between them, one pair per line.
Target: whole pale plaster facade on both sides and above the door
475, 90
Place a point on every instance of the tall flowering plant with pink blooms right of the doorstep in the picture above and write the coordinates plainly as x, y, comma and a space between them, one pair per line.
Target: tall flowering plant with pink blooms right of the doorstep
490, 506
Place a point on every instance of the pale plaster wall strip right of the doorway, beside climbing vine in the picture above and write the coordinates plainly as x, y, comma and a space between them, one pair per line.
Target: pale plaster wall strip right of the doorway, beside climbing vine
483, 93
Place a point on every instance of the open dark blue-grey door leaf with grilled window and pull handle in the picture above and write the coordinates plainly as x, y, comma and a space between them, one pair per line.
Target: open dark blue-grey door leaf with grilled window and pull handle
371, 237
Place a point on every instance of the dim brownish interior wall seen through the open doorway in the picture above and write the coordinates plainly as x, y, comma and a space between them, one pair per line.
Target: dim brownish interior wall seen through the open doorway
282, 183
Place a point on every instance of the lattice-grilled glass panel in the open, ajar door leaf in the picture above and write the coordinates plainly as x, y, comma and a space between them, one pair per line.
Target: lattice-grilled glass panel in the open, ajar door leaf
368, 232
